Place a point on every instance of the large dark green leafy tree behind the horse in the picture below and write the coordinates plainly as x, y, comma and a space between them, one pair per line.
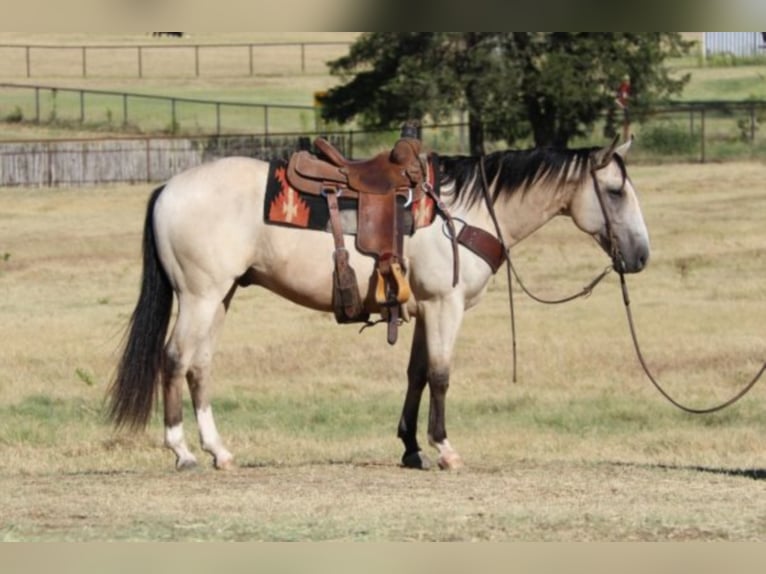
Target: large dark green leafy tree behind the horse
550, 86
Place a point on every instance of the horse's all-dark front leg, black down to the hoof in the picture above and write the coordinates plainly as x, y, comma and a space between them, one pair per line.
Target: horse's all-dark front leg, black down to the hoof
417, 377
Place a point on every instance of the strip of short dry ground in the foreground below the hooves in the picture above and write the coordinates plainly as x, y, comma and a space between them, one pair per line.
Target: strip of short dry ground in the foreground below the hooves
526, 501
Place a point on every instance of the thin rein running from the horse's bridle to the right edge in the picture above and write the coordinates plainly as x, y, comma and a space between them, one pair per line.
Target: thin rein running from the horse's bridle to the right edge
618, 264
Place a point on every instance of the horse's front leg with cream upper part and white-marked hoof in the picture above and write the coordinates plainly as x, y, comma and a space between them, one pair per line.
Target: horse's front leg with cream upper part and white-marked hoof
442, 325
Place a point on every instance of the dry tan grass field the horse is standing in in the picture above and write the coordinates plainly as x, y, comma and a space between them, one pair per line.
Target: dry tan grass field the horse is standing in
581, 448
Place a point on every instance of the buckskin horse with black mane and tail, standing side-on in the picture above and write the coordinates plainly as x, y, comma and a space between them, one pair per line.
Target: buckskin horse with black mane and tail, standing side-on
204, 237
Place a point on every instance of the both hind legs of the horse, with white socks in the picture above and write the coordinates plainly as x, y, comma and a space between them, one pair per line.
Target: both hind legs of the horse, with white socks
188, 357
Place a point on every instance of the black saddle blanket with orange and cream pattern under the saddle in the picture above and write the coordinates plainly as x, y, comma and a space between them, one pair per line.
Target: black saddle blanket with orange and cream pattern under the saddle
291, 208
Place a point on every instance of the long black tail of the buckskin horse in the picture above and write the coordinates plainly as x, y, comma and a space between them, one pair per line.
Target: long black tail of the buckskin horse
132, 393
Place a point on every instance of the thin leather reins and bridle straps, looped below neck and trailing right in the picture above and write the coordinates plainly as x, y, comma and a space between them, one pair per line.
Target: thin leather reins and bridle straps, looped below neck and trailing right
618, 265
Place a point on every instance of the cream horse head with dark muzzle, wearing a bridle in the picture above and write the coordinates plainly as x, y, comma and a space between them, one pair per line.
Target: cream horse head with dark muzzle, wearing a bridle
606, 206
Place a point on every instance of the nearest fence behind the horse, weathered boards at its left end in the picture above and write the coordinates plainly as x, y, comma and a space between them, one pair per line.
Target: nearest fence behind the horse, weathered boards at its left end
682, 133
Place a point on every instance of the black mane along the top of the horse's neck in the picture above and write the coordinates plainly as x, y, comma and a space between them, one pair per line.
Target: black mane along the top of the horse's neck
518, 170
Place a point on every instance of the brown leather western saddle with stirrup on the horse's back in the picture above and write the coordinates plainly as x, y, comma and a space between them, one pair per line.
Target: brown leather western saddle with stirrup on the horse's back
383, 186
